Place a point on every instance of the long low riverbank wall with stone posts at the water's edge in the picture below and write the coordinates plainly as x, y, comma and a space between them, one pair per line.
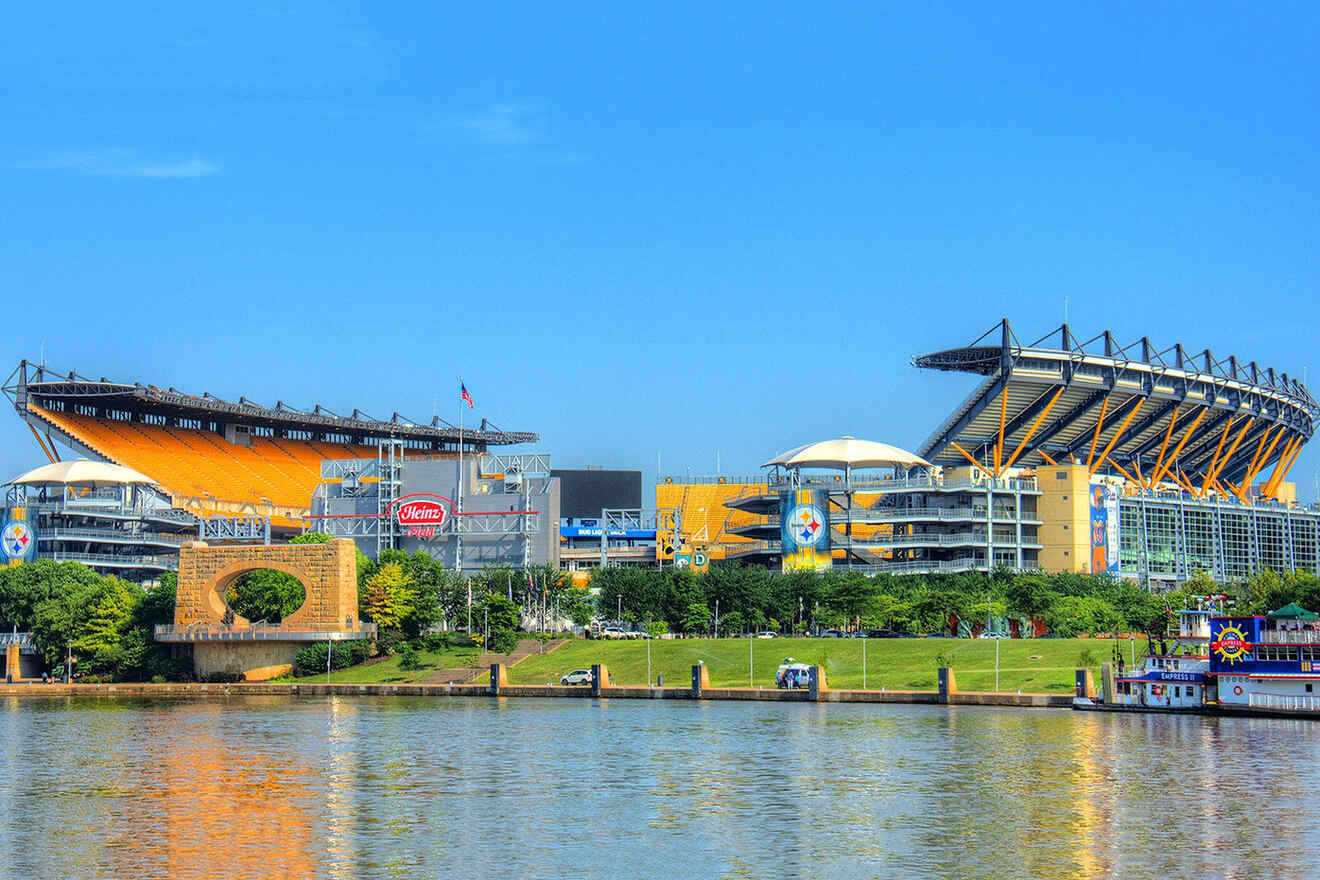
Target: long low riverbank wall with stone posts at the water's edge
500, 688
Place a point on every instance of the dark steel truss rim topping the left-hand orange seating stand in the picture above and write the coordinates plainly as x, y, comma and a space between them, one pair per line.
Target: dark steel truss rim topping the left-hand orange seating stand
32, 383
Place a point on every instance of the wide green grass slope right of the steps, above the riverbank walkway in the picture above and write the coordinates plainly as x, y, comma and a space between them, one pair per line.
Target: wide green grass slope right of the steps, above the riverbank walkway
1033, 666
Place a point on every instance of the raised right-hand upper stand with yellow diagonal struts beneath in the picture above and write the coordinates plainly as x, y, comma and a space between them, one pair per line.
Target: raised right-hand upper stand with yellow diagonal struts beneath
1150, 415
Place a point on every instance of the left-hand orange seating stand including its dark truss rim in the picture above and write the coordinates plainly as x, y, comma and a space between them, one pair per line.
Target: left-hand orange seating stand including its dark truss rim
216, 456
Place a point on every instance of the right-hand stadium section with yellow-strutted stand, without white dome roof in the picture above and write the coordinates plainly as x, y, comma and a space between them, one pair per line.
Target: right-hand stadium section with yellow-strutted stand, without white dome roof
1070, 456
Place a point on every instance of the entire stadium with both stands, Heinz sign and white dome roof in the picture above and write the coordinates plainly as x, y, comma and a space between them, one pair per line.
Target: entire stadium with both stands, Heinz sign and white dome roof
1067, 456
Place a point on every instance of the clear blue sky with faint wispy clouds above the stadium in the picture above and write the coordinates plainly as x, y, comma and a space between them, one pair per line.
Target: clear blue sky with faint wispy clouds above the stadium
640, 230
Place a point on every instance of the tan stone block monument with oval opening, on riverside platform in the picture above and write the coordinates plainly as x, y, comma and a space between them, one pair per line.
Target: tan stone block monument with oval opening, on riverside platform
228, 644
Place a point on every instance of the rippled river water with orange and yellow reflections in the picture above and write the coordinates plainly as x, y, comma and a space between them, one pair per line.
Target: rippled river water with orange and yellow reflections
576, 788
